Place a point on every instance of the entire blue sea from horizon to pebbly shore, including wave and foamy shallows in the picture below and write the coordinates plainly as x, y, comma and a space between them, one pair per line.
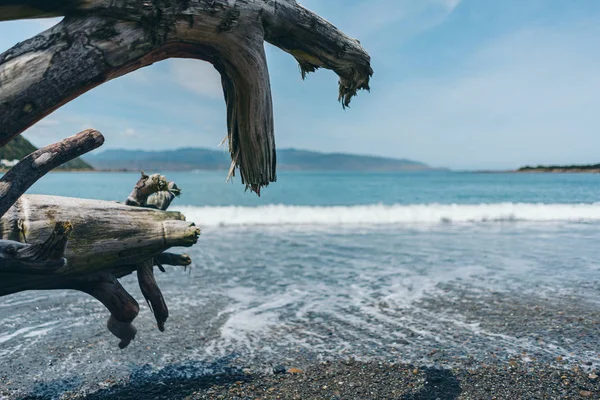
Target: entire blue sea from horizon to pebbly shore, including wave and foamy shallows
435, 268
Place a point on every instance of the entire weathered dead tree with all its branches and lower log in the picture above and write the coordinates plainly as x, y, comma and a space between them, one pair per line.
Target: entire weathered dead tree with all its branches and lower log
99, 40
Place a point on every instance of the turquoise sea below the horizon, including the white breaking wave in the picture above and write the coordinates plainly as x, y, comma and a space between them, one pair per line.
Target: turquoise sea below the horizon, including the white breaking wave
339, 198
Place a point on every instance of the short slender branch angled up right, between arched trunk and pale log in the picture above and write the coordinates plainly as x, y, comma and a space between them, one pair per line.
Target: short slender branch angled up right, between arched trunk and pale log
37, 164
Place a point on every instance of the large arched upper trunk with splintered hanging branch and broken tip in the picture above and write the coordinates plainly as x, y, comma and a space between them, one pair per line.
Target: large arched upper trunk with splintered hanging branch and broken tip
99, 40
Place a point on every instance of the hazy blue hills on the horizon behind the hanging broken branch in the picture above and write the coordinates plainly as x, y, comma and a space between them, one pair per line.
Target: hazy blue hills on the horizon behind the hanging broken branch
205, 159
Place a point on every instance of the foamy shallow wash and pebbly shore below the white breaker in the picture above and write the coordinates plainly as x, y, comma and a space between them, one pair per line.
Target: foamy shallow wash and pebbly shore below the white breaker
526, 327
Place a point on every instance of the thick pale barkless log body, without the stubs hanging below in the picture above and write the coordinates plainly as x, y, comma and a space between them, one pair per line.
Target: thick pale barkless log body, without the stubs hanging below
107, 237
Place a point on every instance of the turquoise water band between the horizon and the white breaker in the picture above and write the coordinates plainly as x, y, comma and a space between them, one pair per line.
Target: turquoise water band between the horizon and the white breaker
208, 188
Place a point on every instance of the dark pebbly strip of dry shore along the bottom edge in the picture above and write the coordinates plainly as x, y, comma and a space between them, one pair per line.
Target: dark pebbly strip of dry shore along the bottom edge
369, 380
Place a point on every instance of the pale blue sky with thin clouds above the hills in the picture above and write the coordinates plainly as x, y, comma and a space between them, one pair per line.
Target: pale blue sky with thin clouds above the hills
463, 84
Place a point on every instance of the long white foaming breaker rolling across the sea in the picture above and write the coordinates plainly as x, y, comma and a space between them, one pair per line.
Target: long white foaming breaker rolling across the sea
388, 214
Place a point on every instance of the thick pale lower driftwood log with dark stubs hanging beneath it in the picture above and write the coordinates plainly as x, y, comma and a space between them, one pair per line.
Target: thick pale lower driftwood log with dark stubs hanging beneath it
108, 240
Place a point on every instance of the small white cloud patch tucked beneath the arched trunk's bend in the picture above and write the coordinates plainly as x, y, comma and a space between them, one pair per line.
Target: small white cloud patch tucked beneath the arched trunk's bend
196, 76
